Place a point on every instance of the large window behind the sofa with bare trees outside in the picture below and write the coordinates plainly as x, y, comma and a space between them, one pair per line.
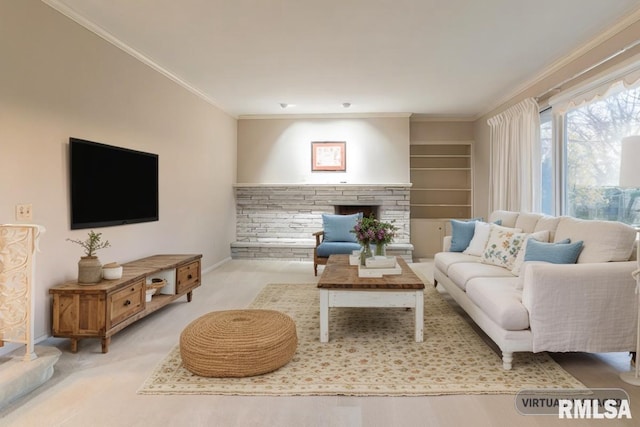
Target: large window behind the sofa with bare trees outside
591, 148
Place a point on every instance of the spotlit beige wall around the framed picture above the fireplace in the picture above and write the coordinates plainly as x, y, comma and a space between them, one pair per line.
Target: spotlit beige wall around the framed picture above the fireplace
278, 151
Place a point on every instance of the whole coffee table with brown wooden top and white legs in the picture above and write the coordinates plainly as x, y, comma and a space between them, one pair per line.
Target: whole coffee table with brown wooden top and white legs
340, 286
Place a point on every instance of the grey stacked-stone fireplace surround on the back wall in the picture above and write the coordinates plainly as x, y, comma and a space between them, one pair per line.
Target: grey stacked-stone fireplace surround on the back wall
277, 221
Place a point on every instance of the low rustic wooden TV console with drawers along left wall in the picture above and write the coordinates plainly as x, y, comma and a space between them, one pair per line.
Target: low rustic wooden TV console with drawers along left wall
100, 310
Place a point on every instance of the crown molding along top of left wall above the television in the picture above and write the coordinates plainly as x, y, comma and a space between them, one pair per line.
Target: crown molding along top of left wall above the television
104, 34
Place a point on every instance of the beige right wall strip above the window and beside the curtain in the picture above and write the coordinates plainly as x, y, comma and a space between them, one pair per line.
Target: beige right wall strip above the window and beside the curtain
612, 45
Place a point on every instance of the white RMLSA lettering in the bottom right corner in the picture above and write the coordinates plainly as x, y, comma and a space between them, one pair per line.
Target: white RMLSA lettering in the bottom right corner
594, 408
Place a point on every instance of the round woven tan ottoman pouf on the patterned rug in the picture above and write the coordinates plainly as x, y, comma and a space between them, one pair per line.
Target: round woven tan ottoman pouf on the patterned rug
238, 343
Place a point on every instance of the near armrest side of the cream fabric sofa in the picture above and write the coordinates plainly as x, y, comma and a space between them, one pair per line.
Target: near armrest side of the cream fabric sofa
587, 307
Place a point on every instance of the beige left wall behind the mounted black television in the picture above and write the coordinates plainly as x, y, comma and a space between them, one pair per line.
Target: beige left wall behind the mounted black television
59, 80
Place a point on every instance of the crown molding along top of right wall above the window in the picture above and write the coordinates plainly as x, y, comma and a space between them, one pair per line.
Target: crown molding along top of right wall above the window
629, 19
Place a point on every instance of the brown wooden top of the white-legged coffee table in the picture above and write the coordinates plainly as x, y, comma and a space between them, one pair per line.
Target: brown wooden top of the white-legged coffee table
338, 274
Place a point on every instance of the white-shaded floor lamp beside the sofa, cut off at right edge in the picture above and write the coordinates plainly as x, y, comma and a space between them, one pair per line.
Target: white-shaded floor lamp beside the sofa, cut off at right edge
630, 177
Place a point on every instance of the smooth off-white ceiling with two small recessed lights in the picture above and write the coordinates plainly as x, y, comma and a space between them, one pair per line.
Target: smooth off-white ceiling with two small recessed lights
439, 58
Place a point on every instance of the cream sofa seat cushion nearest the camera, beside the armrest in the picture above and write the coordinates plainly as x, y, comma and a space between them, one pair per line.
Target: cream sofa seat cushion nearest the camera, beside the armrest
499, 299
